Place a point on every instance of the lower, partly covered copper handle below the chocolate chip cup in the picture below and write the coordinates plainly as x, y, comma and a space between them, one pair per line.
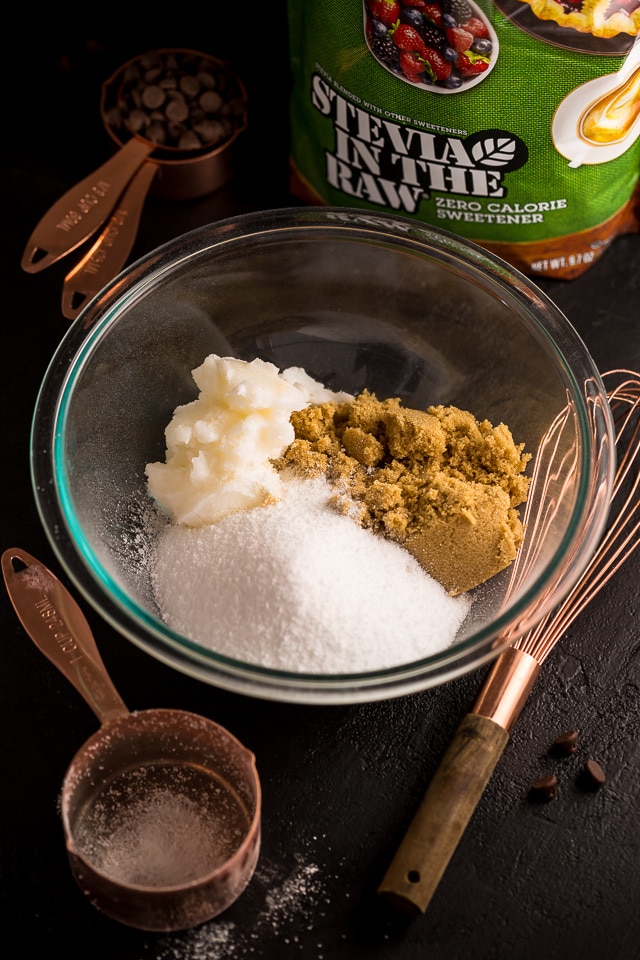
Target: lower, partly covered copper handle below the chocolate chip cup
109, 253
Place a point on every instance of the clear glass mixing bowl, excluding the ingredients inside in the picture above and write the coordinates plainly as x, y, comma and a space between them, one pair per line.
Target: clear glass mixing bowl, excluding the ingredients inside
360, 301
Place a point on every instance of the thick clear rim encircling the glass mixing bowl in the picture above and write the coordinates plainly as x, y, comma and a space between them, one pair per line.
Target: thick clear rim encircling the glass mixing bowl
155, 637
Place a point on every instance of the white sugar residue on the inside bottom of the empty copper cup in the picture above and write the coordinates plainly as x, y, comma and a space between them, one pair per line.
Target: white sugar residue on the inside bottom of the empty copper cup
161, 824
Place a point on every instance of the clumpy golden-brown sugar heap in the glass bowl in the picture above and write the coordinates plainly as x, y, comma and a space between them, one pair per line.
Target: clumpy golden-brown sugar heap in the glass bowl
443, 484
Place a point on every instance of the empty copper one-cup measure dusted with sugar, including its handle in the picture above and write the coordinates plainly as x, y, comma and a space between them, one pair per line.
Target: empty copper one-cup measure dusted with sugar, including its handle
161, 809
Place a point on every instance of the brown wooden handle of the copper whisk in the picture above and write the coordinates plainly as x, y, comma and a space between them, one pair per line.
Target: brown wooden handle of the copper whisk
444, 813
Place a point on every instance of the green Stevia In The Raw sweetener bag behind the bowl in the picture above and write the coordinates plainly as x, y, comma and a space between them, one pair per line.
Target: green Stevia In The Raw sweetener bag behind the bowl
514, 123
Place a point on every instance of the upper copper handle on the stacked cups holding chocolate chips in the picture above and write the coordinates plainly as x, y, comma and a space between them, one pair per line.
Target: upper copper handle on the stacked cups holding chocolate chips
83, 208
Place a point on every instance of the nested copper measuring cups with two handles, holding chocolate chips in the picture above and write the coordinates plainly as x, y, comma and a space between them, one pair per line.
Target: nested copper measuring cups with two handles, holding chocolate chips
113, 196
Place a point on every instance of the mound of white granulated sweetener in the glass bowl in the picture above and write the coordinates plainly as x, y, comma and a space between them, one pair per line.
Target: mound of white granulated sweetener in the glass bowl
297, 586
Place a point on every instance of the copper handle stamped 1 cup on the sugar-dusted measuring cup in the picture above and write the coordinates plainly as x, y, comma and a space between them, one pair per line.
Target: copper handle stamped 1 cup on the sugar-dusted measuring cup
59, 629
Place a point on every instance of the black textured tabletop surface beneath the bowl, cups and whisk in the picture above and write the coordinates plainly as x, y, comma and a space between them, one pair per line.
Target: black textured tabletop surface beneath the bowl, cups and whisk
560, 879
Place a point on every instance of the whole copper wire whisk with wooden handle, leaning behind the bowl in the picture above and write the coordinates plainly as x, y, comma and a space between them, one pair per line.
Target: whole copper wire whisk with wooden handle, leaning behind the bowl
483, 733
